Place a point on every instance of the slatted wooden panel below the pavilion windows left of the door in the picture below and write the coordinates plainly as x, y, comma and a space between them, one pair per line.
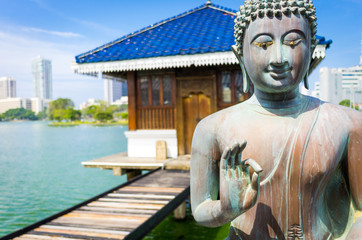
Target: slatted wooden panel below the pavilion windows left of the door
156, 118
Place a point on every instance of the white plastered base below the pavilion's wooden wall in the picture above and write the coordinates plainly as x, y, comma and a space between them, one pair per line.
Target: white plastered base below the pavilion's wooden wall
142, 143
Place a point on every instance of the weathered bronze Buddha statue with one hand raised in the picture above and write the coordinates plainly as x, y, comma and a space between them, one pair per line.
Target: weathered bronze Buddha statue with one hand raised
280, 165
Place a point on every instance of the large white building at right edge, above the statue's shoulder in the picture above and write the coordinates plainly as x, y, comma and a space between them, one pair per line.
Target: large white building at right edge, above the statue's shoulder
337, 84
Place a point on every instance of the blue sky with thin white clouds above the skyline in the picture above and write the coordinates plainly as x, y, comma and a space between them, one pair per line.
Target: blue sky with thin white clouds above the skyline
60, 30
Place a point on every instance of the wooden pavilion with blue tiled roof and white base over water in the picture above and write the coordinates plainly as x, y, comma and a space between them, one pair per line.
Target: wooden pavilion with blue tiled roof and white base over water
178, 71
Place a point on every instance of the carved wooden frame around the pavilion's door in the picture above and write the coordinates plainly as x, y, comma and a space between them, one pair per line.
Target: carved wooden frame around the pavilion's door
185, 86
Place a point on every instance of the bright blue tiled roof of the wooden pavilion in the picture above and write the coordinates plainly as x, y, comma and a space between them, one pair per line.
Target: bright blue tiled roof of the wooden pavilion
206, 29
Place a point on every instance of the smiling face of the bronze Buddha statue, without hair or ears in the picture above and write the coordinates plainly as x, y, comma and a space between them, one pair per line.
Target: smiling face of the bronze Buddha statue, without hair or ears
277, 52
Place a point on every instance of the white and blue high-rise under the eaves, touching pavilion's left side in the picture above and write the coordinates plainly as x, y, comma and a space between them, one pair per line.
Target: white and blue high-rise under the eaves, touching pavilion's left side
114, 90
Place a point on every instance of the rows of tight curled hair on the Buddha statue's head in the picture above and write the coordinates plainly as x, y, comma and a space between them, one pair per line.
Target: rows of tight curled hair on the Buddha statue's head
253, 9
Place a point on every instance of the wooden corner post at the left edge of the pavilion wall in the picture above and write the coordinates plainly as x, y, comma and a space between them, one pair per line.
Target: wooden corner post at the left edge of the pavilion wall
131, 89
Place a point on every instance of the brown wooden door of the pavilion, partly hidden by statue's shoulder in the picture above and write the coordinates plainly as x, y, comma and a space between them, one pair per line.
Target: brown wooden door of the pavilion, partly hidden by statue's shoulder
196, 106
